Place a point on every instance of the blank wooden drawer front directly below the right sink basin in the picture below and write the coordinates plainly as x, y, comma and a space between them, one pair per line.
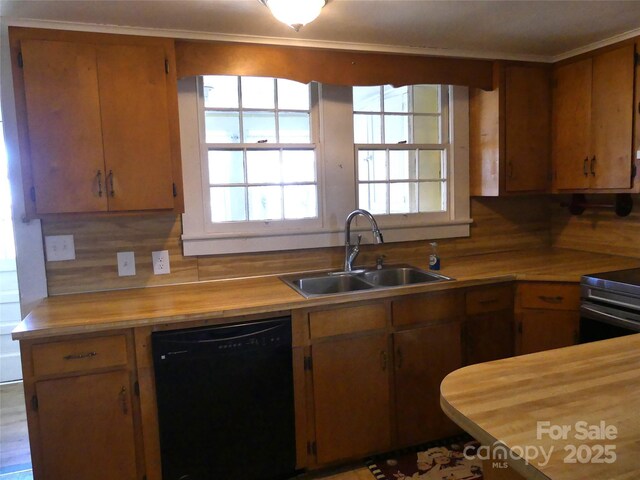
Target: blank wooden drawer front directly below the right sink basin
427, 308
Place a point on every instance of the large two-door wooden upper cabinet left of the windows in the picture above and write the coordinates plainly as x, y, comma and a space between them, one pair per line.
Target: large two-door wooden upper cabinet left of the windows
98, 122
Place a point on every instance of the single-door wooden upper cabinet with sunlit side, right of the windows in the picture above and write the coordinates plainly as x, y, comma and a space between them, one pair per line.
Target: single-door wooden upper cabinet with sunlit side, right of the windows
510, 133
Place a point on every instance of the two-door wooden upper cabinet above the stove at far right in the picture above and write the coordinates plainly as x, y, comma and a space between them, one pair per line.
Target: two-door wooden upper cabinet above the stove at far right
592, 127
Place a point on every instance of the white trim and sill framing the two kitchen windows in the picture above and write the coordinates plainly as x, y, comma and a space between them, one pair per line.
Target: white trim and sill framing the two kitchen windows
336, 184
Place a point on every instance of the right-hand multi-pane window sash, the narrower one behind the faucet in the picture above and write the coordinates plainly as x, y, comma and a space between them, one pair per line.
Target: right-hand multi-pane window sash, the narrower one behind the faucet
401, 138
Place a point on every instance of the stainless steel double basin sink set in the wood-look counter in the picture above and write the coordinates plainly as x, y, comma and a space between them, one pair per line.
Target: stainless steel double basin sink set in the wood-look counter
316, 284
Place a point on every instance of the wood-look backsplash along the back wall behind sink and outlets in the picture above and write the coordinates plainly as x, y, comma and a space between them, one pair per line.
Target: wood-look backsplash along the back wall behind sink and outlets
499, 225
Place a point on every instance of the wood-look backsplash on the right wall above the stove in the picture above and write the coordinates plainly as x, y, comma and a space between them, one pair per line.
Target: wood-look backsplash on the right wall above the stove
599, 231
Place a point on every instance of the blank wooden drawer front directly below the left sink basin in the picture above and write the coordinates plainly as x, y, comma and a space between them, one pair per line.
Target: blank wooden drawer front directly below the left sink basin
341, 321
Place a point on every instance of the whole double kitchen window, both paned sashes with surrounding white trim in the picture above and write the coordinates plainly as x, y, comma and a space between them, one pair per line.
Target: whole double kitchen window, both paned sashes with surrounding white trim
265, 169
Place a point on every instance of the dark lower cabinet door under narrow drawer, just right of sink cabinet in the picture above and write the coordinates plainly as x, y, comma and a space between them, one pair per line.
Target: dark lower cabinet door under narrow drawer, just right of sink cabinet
489, 337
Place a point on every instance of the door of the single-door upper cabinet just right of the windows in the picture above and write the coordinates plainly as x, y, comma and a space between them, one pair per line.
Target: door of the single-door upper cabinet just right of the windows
527, 129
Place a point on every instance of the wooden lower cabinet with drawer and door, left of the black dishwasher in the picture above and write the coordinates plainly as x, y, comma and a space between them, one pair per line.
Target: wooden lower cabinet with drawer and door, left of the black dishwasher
82, 412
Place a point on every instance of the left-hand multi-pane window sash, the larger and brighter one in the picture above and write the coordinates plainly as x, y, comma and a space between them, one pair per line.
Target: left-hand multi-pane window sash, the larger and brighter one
260, 152
